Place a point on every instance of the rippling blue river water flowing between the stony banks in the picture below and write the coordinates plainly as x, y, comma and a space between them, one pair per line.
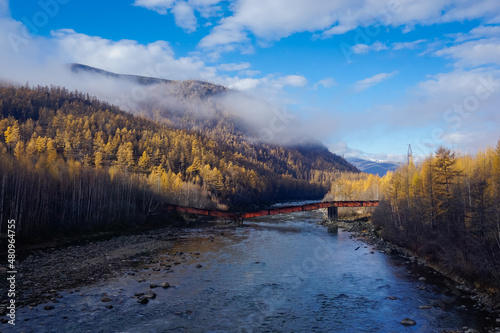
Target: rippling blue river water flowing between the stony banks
275, 274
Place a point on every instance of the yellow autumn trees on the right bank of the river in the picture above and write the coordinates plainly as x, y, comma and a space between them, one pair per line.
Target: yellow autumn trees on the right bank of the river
446, 209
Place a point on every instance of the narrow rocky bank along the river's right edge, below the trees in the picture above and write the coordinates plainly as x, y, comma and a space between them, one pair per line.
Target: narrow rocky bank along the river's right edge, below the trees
455, 287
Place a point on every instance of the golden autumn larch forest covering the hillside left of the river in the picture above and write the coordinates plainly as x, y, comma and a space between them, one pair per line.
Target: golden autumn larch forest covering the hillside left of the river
69, 161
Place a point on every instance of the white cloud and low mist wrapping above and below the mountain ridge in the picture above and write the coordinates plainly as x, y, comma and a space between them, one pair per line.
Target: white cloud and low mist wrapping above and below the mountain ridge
43, 60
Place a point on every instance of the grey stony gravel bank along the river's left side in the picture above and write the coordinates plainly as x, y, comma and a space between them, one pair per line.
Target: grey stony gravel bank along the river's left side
48, 268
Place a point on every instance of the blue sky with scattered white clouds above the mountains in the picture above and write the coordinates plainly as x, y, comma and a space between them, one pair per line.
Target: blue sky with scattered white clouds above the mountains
365, 77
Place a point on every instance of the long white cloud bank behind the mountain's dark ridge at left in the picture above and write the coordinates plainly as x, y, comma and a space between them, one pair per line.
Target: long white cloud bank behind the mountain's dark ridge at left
40, 60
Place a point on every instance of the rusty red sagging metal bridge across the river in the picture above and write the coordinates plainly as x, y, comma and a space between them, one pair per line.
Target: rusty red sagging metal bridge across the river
332, 207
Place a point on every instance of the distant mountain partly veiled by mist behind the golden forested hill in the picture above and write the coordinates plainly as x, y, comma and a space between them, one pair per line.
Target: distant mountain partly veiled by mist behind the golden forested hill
214, 110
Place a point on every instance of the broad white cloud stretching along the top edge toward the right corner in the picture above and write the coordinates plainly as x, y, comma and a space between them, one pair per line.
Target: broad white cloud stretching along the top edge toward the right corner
272, 20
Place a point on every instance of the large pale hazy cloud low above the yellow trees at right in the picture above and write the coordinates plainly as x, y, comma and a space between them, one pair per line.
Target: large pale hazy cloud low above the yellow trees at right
457, 109
